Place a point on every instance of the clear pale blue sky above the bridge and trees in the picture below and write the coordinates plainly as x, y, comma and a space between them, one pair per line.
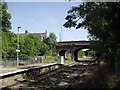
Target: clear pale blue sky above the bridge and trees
37, 17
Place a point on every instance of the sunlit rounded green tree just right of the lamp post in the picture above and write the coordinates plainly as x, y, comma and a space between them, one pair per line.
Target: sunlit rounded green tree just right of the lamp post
31, 45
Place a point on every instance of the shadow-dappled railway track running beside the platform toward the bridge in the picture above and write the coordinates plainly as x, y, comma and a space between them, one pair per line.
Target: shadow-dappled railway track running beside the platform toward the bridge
66, 77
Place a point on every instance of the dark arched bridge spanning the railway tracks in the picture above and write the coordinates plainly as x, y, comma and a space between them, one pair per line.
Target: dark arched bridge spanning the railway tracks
72, 48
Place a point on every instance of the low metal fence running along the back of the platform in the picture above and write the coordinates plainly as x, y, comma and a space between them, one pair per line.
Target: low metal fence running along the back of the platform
27, 60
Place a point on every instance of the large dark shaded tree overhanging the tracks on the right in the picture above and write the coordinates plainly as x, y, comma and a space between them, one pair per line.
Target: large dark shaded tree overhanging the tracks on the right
102, 22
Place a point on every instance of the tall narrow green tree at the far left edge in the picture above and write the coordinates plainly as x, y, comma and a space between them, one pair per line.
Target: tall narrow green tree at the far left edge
5, 29
